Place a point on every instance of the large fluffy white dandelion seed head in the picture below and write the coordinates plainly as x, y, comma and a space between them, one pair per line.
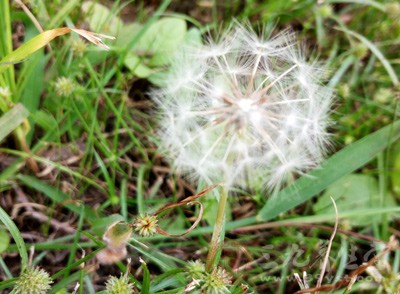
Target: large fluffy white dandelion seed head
244, 110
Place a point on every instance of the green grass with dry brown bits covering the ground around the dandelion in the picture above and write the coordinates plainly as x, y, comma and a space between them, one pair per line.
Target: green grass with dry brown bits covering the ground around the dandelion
96, 150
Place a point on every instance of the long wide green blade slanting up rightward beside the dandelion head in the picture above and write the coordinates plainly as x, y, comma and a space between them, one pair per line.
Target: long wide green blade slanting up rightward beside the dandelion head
340, 164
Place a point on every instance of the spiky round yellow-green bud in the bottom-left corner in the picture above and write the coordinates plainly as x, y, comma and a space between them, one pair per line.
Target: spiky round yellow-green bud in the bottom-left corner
33, 281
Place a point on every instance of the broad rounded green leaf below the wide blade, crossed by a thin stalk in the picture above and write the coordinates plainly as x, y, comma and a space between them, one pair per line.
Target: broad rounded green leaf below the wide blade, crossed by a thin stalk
354, 190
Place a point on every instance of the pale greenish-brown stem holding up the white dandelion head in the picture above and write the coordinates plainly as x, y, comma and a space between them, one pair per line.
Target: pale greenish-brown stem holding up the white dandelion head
216, 241
